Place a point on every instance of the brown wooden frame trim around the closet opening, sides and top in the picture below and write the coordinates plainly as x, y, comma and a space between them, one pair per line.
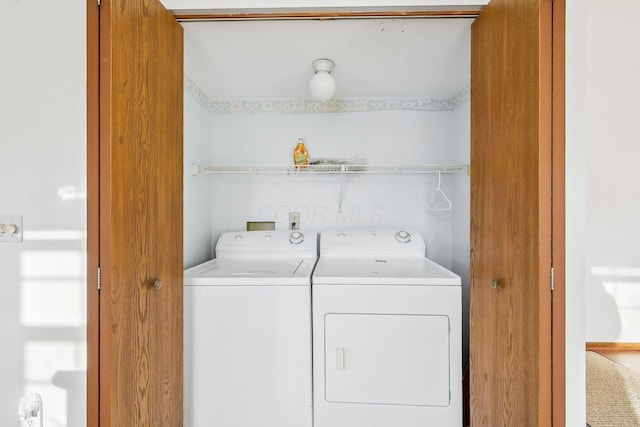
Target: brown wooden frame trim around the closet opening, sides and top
558, 167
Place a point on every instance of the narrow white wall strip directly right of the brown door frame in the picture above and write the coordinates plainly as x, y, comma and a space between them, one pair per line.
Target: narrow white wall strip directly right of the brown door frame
576, 134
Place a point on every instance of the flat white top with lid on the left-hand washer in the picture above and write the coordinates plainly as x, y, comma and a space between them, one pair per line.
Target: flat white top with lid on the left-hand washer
248, 272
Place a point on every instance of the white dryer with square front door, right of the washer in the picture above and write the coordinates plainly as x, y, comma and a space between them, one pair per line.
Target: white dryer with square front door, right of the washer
387, 333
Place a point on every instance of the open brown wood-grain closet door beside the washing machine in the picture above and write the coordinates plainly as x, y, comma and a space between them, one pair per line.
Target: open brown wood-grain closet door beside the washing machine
141, 78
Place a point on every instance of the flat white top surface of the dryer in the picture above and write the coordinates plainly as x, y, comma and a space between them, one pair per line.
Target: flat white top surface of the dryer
382, 271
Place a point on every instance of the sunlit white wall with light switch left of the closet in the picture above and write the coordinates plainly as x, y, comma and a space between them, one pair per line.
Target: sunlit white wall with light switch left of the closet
43, 143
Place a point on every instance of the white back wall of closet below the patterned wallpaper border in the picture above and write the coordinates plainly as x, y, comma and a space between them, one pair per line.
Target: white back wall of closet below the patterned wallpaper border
368, 200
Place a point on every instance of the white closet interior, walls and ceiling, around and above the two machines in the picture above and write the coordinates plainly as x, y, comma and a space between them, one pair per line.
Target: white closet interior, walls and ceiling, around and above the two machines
396, 130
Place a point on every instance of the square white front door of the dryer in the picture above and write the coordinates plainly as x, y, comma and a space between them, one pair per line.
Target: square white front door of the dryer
387, 359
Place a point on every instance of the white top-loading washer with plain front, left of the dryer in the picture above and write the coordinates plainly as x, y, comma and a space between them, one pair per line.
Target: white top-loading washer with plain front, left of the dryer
248, 332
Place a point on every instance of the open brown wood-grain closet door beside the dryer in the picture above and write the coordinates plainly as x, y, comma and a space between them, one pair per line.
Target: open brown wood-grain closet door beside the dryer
510, 348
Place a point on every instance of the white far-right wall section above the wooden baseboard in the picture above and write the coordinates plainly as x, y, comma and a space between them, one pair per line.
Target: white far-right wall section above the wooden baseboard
612, 244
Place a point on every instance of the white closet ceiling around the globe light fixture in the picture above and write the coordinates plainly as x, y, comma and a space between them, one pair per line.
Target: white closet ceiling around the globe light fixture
380, 58
